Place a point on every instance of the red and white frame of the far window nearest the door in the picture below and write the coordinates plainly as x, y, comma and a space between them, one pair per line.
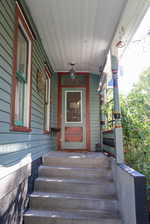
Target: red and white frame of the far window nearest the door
49, 76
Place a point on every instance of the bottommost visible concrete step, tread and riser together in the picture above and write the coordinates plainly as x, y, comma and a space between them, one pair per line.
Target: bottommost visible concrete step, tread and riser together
61, 217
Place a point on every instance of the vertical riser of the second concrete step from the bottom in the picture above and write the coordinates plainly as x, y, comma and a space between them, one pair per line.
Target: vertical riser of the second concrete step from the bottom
63, 203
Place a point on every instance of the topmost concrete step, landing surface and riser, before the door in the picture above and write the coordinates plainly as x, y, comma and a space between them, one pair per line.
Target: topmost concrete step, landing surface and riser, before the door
79, 160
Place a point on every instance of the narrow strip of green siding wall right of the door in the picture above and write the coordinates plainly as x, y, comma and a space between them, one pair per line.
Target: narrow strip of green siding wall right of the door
94, 111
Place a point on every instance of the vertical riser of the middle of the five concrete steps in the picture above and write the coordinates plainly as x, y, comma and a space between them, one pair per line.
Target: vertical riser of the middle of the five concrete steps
79, 188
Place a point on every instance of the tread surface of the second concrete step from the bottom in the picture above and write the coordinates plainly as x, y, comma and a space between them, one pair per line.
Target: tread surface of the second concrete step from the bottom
73, 196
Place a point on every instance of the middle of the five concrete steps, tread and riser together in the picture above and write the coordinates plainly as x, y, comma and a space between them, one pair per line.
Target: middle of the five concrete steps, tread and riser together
97, 188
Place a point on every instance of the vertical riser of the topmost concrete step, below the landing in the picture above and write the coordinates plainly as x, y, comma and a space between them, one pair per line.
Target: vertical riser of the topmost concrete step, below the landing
72, 162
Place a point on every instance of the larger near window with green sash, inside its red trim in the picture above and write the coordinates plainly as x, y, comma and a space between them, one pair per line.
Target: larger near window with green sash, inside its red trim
21, 80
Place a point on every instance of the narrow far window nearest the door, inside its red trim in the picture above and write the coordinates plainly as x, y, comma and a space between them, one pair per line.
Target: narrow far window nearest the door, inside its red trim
47, 101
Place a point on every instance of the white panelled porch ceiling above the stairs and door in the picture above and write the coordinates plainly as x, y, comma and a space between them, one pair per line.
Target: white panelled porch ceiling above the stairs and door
76, 30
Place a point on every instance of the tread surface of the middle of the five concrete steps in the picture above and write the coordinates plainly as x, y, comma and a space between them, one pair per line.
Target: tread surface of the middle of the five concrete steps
65, 180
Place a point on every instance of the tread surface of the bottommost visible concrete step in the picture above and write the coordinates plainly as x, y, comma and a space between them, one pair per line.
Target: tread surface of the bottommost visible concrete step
87, 214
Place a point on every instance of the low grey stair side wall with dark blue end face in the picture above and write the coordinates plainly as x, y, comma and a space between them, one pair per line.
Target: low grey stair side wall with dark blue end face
131, 190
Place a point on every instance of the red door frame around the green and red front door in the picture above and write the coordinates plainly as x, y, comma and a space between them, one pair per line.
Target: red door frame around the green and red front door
59, 113
